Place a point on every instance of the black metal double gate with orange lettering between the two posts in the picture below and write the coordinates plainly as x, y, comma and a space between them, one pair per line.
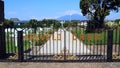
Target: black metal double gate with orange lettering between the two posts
64, 44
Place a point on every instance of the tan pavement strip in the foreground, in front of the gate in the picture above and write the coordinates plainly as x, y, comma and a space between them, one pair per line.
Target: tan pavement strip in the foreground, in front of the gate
59, 65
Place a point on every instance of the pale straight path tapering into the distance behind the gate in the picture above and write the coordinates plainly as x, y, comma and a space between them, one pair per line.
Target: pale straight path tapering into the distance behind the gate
63, 39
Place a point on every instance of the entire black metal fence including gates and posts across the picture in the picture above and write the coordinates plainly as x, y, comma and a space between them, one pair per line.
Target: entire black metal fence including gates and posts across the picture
74, 44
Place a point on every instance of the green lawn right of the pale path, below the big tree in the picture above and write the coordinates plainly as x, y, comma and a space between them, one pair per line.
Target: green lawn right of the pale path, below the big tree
96, 38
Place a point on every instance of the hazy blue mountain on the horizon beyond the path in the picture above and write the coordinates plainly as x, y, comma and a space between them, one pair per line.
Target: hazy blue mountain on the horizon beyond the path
72, 17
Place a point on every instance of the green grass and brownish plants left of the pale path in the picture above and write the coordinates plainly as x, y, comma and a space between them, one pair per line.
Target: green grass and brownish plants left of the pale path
31, 39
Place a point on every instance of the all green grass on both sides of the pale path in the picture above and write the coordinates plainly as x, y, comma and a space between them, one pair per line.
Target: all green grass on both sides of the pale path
87, 38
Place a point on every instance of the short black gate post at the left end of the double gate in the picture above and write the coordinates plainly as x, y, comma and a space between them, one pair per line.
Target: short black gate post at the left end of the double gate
20, 46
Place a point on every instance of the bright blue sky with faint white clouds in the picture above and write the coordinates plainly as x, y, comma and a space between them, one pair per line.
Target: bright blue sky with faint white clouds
40, 9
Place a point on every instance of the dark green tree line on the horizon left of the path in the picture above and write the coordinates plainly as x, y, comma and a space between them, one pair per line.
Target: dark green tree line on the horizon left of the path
33, 23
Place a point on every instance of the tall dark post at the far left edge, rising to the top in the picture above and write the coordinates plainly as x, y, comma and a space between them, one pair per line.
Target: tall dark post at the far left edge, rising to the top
2, 32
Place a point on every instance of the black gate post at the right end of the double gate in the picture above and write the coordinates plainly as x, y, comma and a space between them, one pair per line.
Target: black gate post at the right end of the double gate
110, 45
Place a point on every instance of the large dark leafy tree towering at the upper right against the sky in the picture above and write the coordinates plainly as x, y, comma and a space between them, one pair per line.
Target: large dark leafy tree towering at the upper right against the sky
97, 10
